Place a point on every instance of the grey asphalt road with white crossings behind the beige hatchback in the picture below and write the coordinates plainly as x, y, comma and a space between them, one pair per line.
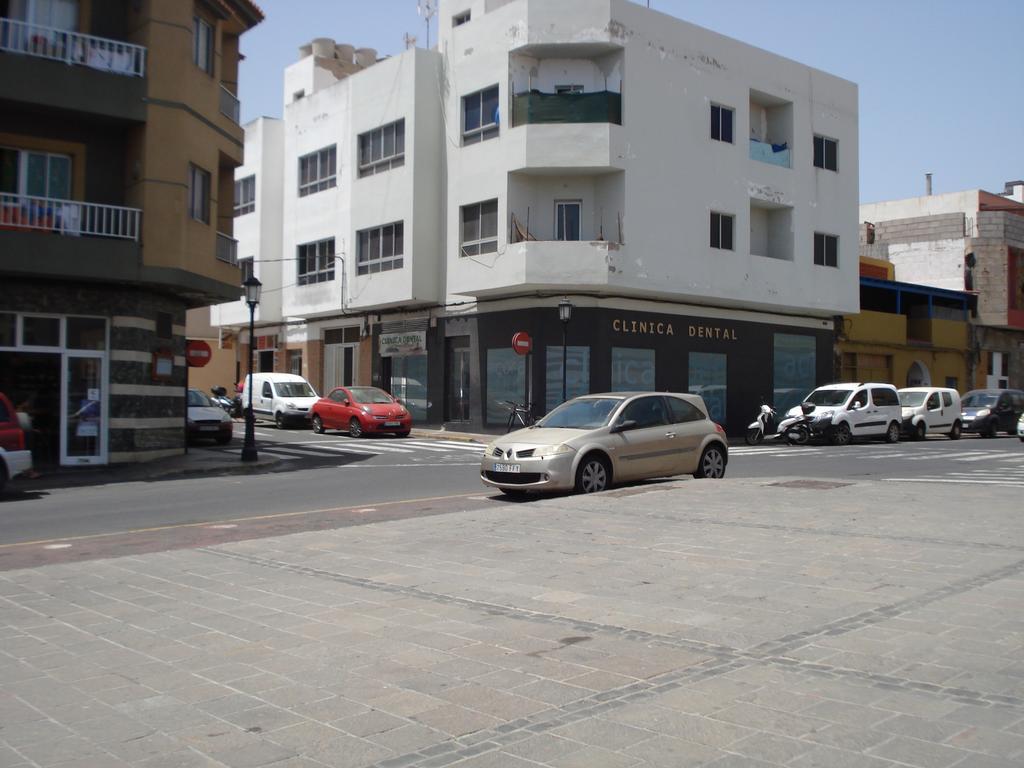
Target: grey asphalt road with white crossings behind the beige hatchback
339, 482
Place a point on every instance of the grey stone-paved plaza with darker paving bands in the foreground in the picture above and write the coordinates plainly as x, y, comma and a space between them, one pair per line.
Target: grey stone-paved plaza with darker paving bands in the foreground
736, 623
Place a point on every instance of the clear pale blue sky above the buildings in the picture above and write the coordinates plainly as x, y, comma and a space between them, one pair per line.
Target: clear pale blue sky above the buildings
940, 80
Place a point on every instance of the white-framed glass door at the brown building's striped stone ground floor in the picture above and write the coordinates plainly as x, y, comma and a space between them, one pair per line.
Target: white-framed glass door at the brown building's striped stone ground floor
84, 421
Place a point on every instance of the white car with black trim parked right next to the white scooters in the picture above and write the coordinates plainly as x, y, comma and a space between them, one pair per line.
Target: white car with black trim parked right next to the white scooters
843, 412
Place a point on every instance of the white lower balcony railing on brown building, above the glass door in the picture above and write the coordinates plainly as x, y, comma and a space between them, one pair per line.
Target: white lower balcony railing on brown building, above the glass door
69, 218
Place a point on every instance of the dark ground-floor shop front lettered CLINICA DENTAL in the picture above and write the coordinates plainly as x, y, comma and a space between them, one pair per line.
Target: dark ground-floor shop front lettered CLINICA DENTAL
734, 364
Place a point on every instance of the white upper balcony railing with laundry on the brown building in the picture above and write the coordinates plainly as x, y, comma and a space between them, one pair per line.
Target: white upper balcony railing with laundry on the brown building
72, 48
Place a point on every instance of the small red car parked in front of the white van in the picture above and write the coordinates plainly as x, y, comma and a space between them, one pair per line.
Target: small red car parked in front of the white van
361, 411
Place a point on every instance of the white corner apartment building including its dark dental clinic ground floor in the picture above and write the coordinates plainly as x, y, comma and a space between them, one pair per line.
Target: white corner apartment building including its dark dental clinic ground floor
694, 198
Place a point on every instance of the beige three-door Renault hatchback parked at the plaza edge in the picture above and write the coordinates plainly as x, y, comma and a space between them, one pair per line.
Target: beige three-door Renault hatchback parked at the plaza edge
592, 442
